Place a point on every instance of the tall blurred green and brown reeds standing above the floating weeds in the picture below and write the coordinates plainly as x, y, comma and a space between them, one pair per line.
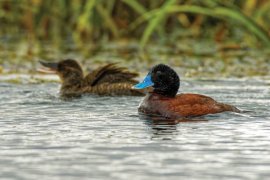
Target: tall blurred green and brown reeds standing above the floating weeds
91, 20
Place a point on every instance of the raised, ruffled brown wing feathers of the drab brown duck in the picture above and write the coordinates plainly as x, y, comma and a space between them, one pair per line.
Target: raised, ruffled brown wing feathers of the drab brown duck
110, 73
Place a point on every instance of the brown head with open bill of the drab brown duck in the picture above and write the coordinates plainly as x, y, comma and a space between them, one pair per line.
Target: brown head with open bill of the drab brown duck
68, 70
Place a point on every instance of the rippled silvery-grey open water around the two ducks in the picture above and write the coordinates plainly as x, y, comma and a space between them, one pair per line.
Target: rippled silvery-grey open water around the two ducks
44, 137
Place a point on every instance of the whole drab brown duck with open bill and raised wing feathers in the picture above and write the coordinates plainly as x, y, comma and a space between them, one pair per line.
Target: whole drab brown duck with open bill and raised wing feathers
106, 80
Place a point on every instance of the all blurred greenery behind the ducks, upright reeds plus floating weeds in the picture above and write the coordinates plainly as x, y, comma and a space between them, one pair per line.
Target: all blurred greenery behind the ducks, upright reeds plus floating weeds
51, 29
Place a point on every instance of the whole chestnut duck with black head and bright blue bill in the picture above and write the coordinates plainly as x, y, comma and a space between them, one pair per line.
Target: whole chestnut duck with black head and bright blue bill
162, 99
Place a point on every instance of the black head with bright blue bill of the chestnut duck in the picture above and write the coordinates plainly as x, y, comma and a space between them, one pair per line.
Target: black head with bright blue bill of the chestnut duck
163, 79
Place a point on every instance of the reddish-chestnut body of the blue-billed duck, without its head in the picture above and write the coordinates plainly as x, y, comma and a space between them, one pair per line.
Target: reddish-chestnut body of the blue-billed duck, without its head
183, 105
